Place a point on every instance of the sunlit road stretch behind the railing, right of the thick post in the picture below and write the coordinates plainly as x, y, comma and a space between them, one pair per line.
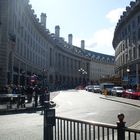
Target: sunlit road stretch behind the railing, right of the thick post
89, 106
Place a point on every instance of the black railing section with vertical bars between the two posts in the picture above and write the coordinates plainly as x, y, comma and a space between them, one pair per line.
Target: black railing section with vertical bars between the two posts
70, 129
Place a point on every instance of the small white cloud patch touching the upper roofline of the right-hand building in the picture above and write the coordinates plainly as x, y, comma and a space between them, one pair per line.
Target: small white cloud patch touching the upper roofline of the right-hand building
114, 15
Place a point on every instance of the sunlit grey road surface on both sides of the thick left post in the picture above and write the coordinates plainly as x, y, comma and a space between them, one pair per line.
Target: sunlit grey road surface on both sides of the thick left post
71, 104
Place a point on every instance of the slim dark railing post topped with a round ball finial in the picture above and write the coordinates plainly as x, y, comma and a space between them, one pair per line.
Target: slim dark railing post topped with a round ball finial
121, 127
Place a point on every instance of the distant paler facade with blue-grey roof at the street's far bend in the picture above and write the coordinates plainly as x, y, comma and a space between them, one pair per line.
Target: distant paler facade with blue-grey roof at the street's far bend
102, 67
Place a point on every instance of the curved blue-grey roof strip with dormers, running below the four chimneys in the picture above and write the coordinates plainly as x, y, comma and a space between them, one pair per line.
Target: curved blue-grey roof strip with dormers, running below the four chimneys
60, 43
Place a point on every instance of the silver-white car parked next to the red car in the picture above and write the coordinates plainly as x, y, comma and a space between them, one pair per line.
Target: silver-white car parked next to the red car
117, 91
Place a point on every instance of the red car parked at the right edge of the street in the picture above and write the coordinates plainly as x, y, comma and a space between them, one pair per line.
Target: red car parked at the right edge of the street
132, 94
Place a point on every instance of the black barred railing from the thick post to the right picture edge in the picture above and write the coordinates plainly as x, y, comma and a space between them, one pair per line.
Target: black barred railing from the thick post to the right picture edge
71, 129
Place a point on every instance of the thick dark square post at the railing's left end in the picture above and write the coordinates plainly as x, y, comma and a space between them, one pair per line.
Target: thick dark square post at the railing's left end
49, 120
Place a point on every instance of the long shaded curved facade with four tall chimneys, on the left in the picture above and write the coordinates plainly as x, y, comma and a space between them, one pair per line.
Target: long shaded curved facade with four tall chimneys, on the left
30, 54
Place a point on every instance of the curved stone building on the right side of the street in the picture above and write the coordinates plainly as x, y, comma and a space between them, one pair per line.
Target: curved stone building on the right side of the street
126, 43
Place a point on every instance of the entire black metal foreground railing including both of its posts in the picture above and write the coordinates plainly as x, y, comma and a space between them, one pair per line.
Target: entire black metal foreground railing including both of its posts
60, 128
